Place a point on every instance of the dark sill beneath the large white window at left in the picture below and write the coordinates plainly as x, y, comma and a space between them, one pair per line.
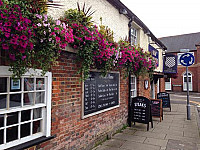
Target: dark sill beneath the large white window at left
31, 143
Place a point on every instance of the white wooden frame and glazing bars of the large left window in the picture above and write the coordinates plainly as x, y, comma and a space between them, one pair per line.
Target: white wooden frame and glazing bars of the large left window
46, 108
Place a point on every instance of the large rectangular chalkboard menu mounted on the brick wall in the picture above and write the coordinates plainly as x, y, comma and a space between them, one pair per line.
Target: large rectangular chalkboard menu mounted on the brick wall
100, 92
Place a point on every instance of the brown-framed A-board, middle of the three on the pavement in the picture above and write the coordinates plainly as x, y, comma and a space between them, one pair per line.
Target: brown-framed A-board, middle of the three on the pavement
156, 108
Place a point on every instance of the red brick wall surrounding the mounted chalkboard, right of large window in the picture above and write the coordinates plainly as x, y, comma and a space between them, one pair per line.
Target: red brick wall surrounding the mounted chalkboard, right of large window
70, 130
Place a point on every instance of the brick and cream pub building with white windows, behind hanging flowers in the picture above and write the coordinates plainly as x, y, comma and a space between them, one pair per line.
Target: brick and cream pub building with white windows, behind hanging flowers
57, 111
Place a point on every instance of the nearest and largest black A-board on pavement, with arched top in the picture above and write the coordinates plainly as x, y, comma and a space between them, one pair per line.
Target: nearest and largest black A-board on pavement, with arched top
141, 111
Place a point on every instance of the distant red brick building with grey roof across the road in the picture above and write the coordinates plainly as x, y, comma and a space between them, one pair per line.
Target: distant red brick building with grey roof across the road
174, 44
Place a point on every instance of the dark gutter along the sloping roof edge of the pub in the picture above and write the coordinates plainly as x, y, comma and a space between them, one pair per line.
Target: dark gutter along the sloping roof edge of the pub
130, 15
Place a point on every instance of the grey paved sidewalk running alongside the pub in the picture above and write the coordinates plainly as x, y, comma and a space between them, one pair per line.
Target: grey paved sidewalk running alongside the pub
175, 132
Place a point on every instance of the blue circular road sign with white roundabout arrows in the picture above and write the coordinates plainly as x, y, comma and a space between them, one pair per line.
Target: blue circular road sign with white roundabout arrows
187, 59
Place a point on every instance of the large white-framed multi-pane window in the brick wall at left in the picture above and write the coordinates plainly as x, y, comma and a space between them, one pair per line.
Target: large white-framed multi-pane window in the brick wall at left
24, 105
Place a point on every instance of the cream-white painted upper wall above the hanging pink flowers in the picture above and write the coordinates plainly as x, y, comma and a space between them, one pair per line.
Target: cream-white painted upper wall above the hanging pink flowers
110, 15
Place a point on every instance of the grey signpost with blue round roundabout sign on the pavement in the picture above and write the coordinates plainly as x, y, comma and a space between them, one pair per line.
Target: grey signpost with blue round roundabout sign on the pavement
187, 59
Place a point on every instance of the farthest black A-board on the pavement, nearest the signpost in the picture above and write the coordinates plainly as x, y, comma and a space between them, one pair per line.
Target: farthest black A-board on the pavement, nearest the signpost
165, 99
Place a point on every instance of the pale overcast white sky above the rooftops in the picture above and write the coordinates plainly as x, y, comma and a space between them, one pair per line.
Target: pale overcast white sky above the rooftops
167, 17
